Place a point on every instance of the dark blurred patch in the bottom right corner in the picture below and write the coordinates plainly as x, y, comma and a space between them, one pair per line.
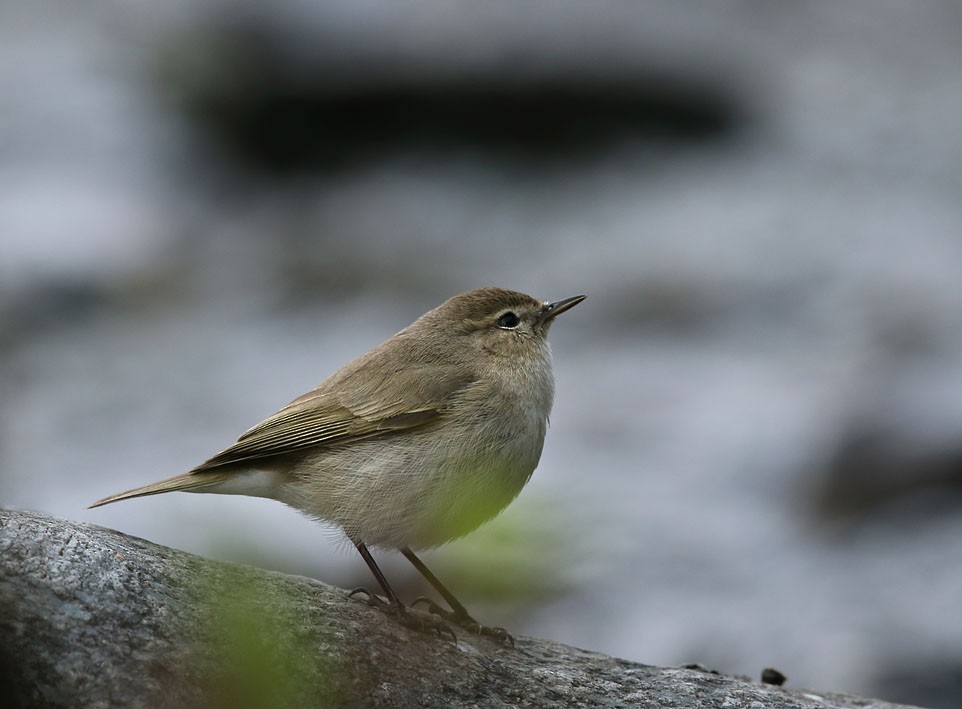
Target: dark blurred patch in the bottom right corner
934, 683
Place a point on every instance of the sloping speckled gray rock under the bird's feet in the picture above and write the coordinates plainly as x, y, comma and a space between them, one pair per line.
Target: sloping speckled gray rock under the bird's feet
95, 618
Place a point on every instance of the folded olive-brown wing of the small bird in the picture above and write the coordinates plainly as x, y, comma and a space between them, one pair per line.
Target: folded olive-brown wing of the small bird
377, 393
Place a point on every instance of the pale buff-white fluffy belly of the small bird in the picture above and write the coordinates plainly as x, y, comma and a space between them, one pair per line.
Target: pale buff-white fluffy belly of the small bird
417, 490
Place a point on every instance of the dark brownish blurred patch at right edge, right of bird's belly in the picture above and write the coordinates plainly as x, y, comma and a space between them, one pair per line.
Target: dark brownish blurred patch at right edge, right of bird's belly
874, 470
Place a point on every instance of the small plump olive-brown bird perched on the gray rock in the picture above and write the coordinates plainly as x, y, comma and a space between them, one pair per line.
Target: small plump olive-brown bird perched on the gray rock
415, 443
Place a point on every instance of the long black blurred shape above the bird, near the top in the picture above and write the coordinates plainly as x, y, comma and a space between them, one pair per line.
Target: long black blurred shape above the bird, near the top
277, 113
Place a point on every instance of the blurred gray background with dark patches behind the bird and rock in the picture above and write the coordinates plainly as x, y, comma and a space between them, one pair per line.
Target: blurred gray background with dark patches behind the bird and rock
755, 456
